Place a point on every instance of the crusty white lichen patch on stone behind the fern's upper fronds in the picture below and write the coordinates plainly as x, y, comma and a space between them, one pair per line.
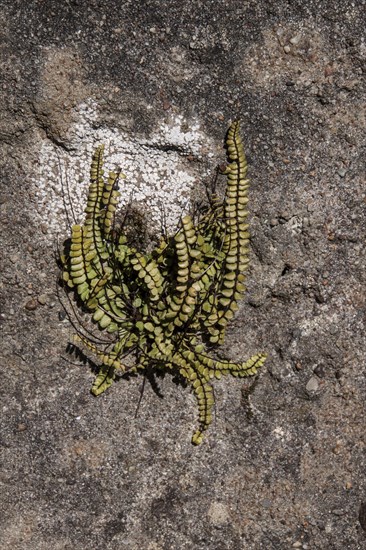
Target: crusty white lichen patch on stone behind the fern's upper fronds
159, 177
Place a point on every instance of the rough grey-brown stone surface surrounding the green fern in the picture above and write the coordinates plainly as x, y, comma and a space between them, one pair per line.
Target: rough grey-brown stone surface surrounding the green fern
283, 465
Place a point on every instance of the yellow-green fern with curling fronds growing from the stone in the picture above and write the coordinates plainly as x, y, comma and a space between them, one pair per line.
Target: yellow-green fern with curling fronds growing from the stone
170, 306
